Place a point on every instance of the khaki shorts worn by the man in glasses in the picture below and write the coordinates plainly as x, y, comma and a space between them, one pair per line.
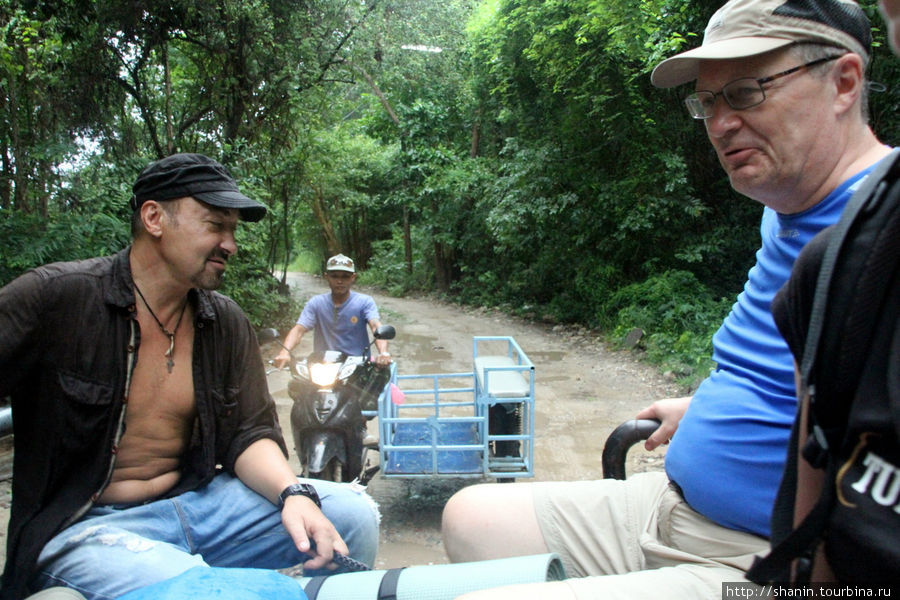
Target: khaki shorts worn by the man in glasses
637, 539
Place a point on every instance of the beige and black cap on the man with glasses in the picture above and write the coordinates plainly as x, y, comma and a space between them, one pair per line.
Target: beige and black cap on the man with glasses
744, 28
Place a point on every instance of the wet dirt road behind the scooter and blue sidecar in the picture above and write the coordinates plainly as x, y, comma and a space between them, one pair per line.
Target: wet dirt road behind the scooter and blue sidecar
582, 392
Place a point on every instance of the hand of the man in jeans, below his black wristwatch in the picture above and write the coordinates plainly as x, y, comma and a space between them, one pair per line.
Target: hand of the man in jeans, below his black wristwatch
303, 520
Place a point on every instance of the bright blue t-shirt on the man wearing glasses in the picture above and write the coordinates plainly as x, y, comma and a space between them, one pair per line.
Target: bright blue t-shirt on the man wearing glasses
730, 448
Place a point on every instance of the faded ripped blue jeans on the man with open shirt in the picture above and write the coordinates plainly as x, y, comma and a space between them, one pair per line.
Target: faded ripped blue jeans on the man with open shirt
113, 550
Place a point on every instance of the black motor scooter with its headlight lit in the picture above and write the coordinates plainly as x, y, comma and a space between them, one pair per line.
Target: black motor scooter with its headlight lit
330, 390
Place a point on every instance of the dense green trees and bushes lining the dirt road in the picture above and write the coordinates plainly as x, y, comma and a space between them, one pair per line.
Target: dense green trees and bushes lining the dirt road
508, 153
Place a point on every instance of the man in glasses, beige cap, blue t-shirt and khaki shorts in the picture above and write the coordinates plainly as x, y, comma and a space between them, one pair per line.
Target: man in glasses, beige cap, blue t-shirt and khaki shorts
780, 87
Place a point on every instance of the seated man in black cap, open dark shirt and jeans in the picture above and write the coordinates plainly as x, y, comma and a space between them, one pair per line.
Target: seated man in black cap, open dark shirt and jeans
146, 442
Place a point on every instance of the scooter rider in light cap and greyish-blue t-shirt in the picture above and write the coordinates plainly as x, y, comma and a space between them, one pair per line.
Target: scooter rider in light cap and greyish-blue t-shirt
338, 318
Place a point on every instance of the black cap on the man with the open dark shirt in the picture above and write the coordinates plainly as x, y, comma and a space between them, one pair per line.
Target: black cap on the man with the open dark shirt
197, 176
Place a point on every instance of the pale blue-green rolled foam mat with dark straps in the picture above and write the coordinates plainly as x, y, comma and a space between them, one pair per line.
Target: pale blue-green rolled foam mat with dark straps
442, 582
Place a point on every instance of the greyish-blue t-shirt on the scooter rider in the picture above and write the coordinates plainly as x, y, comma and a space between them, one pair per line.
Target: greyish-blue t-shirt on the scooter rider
344, 328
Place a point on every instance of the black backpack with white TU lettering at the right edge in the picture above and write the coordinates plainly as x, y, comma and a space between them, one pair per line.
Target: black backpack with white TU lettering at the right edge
851, 369
